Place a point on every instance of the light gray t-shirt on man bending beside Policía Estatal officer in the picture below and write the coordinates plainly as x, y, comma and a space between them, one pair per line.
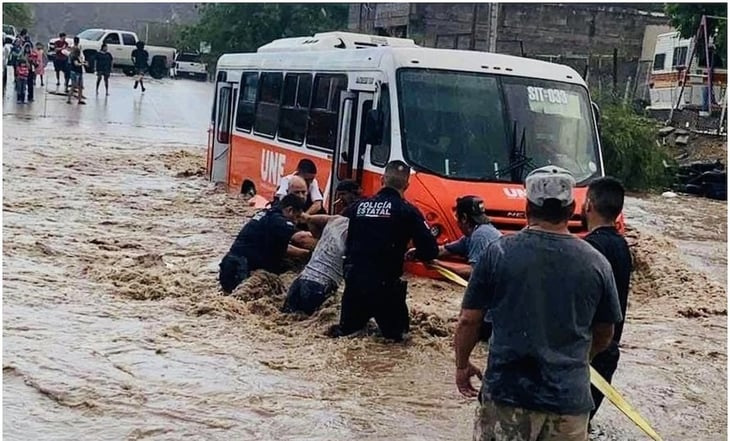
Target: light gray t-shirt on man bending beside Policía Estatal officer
325, 265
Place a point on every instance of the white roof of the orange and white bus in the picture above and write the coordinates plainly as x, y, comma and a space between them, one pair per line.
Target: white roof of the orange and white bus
414, 57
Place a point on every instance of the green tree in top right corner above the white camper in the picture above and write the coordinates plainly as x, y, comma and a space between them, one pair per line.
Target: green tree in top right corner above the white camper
686, 17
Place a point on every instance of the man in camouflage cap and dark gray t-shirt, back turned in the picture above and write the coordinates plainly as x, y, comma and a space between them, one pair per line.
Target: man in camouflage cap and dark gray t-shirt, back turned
554, 303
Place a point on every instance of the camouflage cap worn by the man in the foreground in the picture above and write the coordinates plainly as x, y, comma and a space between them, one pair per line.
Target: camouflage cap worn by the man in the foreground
550, 182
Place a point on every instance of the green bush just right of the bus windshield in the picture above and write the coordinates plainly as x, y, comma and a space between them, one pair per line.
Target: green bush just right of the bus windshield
631, 152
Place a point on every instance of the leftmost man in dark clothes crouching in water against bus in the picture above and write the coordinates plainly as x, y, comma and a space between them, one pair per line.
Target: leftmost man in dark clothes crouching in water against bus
262, 243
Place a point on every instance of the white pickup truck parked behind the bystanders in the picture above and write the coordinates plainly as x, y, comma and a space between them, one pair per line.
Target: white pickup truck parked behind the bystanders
121, 44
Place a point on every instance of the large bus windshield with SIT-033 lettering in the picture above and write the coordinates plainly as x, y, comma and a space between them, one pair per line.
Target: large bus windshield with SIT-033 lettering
469, 126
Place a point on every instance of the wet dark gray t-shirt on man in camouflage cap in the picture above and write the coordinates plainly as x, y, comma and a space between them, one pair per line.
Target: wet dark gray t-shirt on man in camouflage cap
545, 291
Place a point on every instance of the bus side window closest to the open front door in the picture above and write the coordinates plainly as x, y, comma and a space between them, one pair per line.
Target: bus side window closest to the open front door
323, 115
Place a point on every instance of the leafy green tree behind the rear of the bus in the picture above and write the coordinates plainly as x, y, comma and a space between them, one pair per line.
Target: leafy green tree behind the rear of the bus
243, 27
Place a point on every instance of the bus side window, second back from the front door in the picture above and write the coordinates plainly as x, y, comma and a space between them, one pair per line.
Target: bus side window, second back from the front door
295, 107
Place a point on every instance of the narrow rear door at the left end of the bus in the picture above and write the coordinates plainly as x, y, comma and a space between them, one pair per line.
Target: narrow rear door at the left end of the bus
226, 95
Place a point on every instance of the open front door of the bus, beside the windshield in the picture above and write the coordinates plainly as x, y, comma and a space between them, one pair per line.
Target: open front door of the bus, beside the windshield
349, 155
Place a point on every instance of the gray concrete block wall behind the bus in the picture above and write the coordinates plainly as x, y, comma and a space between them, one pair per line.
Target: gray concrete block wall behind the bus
563, 33
